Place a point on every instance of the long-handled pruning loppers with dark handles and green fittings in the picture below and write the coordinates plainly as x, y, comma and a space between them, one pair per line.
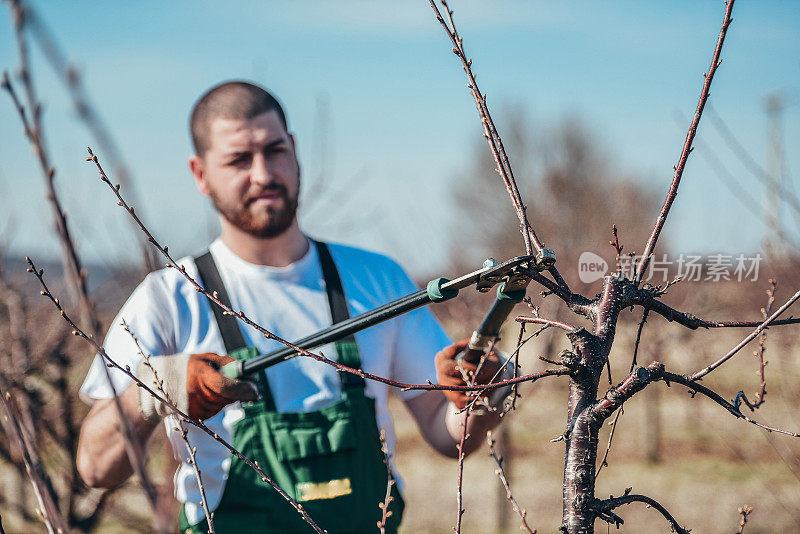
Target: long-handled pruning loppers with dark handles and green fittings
510, 274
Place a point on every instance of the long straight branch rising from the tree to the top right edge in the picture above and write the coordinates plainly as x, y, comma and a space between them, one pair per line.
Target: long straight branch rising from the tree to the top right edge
687, 146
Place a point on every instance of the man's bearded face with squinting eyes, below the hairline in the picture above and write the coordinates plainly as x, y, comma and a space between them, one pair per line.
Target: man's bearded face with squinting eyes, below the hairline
251, 174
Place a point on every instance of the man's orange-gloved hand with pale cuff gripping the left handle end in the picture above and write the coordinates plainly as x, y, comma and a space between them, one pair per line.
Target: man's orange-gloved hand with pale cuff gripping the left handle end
193, 382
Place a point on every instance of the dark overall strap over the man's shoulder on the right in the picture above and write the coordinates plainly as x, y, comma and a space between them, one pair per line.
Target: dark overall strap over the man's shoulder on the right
346, 348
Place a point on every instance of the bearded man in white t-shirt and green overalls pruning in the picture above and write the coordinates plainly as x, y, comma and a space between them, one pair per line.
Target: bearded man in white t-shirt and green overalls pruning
313, 429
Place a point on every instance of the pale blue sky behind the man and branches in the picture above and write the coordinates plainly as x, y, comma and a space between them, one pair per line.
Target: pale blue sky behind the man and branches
401, 124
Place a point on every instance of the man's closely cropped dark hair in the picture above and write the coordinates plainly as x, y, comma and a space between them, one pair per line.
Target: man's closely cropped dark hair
238, 100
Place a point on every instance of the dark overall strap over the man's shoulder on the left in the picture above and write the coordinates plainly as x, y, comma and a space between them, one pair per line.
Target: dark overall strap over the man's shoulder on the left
228, 324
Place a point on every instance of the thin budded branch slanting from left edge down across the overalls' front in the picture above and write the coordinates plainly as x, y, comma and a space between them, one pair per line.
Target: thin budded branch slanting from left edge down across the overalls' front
185, 417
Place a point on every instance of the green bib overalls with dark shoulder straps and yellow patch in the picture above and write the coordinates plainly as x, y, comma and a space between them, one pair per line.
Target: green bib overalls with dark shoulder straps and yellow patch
329, 460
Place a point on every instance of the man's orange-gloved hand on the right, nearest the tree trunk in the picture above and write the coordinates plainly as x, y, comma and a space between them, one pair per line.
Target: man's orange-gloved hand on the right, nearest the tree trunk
454, 371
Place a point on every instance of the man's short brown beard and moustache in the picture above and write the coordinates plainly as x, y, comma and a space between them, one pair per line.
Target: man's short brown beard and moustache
272, 223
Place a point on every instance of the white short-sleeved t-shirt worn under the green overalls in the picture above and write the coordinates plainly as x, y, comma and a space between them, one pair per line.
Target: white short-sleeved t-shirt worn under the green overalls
169, 316
